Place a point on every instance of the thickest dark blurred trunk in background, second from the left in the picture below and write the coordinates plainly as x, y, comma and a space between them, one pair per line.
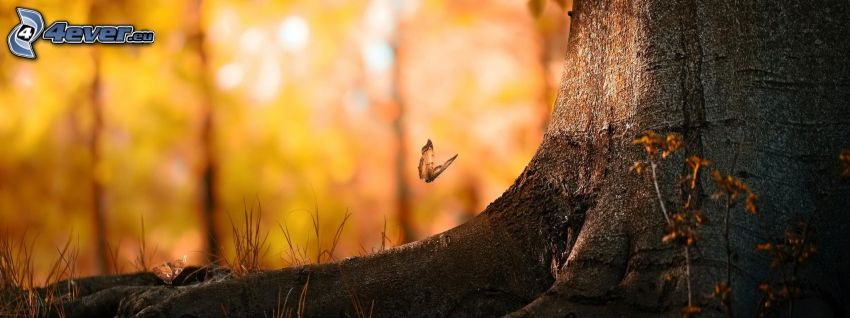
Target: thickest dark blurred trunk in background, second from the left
208, 198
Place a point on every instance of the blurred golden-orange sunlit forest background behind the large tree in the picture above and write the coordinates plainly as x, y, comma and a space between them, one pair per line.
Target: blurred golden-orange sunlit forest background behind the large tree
295, 106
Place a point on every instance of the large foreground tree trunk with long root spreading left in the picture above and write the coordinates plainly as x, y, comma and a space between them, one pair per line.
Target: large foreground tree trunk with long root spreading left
759, 88
